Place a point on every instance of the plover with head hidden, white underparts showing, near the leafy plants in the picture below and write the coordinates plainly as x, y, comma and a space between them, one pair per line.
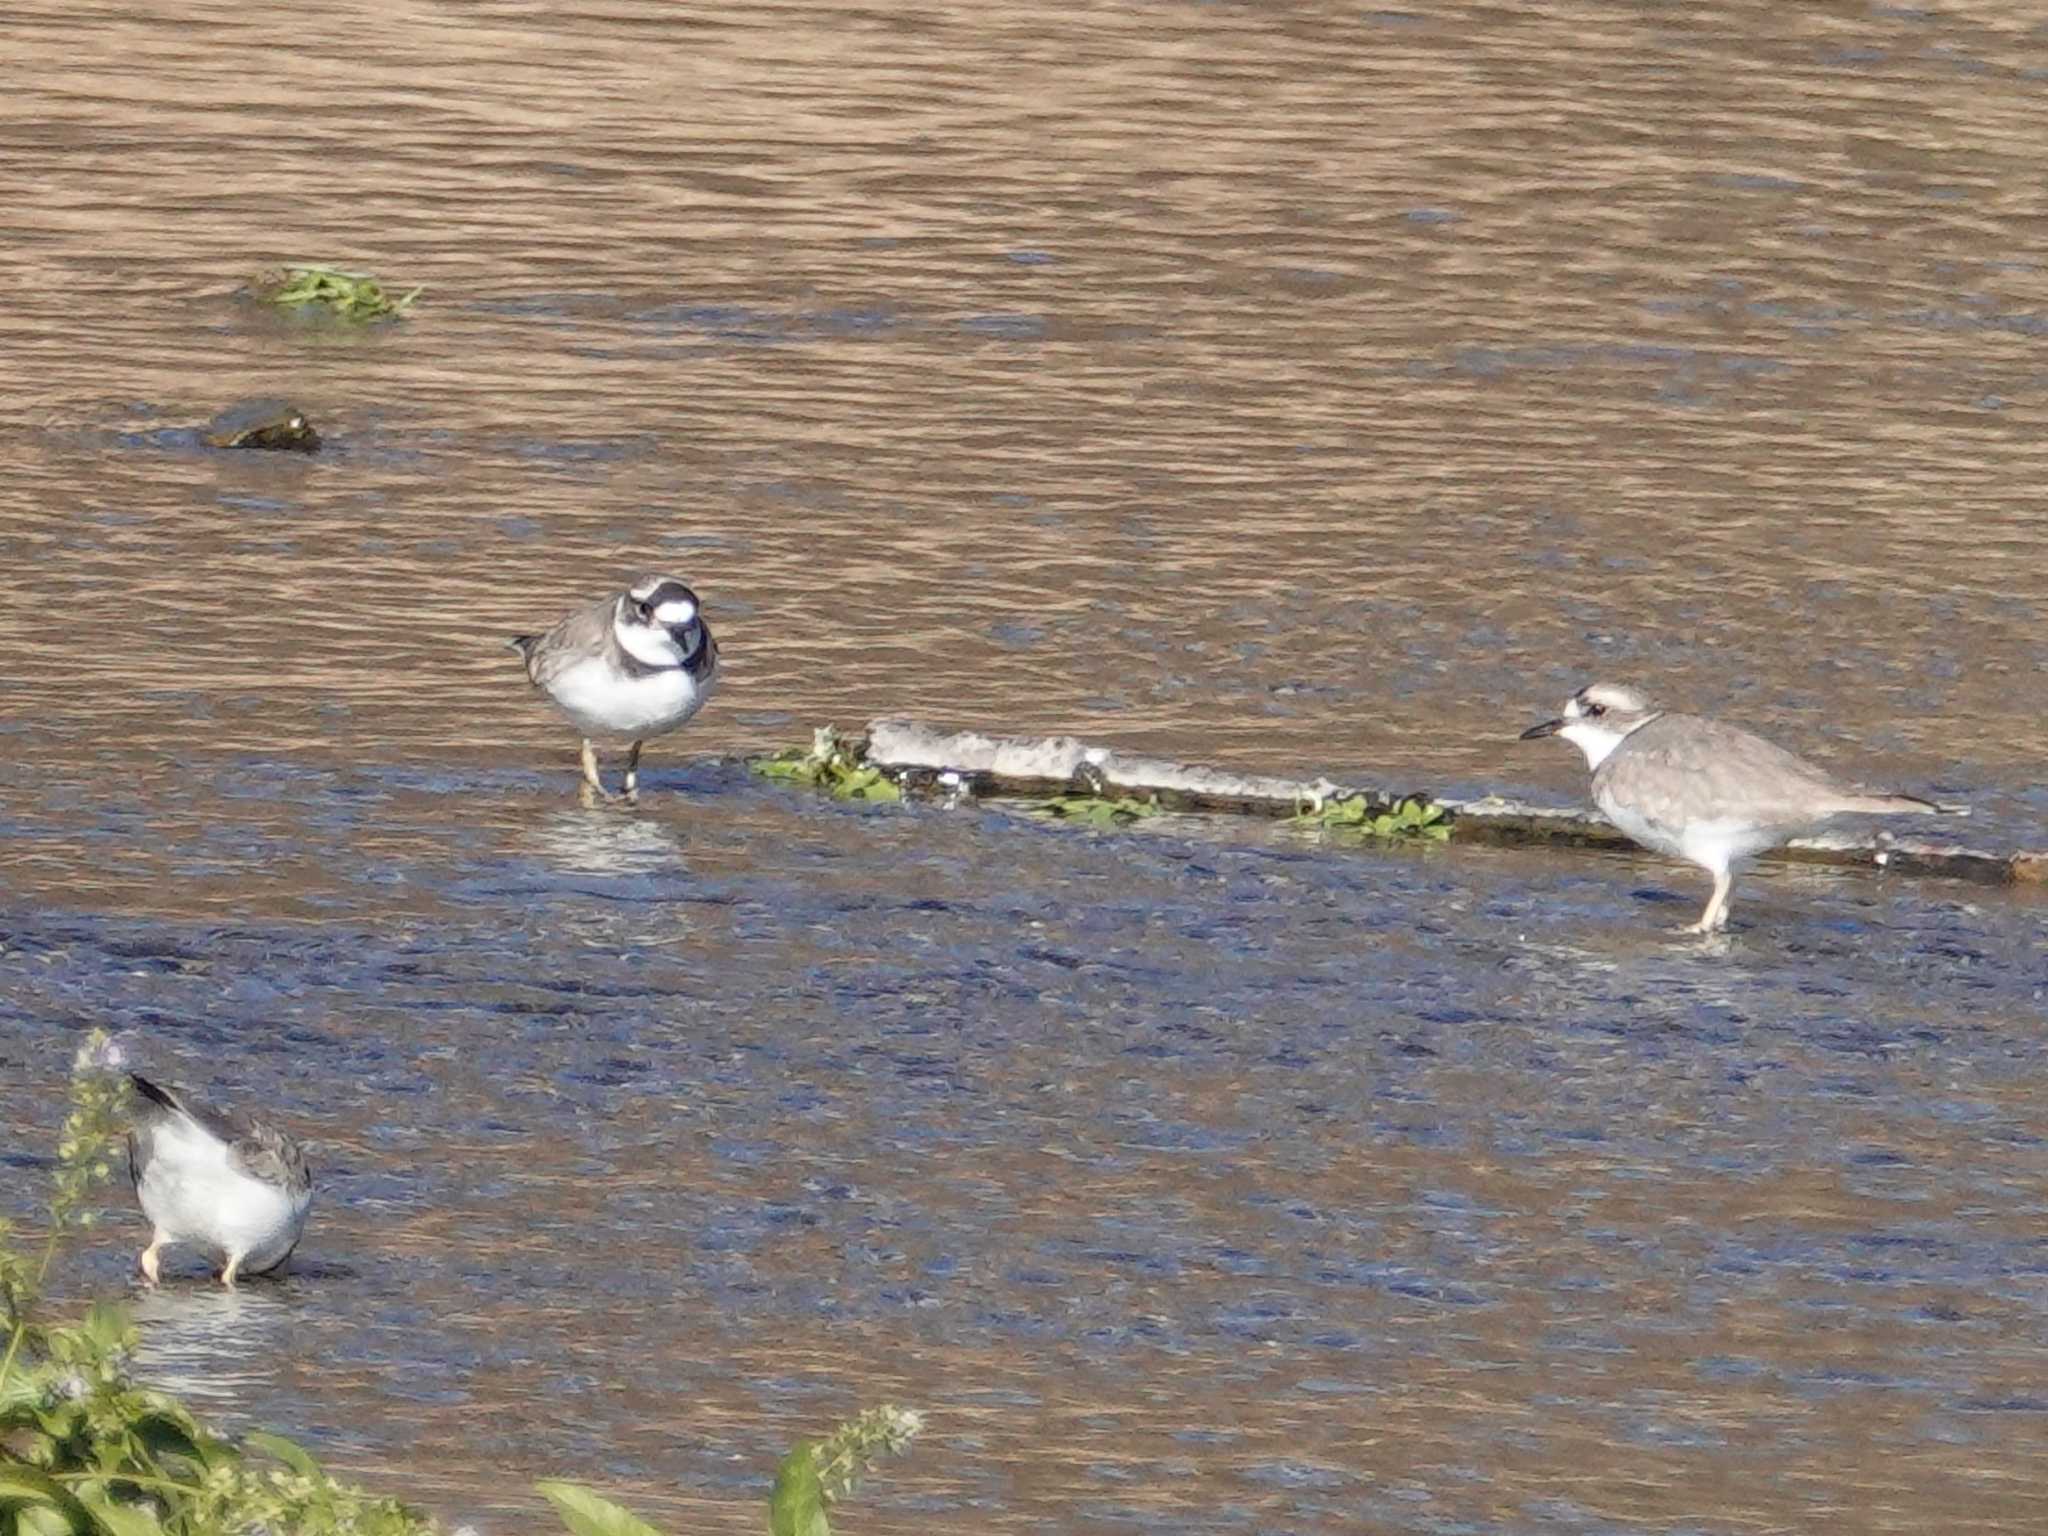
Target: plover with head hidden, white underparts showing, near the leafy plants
237, 1187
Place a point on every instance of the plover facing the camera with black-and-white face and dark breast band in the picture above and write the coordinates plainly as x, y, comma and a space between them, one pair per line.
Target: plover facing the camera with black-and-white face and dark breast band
628, 669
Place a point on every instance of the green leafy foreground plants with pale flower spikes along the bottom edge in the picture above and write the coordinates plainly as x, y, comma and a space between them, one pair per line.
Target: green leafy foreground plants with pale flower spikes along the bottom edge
89, 1453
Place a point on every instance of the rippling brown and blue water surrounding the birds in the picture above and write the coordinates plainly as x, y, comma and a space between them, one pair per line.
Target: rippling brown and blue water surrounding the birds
1297, 388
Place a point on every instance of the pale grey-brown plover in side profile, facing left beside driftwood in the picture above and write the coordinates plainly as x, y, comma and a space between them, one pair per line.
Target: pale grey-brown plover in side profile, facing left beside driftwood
1705, 792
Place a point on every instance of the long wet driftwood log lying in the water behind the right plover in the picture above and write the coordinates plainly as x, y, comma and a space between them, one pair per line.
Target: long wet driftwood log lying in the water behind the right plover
1060, 765
